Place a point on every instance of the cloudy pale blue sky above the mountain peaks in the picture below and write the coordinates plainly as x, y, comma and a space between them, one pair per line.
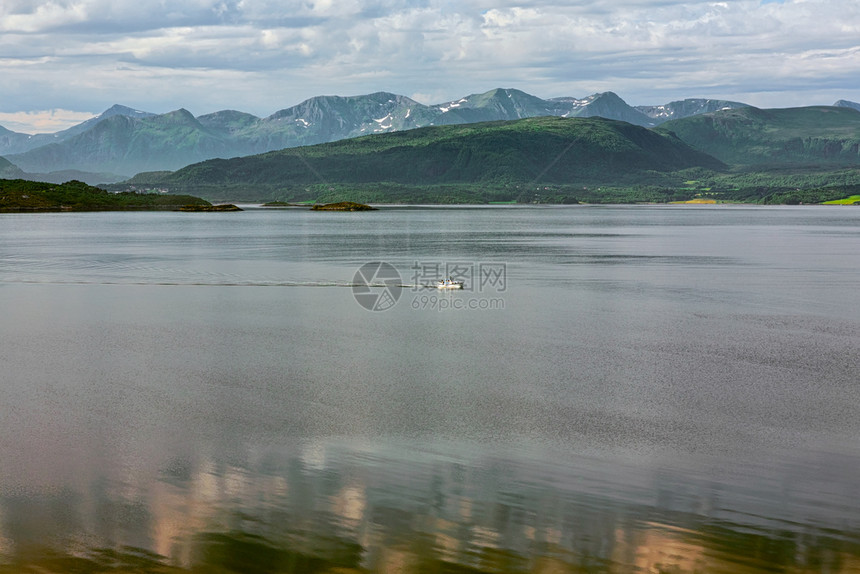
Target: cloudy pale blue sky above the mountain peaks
64, 61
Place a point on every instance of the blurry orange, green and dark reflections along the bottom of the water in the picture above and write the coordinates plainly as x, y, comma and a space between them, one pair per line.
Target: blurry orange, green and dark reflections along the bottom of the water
355, 508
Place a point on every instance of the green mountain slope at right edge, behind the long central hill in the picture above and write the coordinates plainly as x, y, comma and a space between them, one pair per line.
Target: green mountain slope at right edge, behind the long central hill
809, 137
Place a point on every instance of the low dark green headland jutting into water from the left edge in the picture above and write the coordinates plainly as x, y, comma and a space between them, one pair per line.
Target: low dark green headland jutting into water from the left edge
18, 195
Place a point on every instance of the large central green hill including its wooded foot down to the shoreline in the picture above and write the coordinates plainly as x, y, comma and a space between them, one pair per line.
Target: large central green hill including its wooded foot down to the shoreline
477, 162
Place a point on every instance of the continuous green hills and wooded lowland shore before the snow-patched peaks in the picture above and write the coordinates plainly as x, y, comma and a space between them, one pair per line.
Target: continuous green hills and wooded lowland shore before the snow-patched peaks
790, 155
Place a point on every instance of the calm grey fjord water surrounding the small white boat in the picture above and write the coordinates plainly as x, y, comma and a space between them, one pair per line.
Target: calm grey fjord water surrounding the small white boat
618, 389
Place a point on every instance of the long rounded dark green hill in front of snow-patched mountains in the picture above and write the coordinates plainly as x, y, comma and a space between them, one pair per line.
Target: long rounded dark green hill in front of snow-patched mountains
548, 150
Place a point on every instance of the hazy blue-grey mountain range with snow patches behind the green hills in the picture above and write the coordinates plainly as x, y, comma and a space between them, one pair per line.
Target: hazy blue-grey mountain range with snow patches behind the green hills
122, 141
